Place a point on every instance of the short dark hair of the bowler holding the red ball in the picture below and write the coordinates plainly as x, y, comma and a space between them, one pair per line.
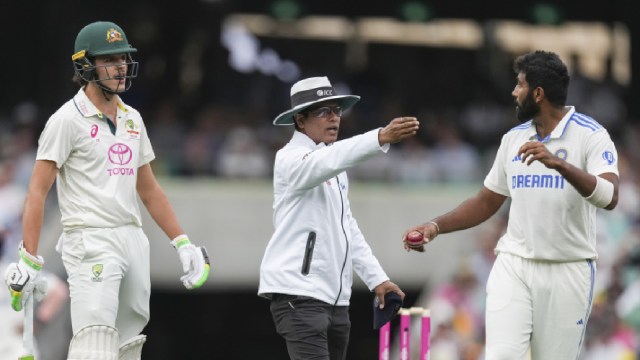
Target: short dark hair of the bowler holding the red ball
546, 70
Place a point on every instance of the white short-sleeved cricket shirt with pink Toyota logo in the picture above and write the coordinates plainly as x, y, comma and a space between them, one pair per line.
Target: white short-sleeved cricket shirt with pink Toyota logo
98, 170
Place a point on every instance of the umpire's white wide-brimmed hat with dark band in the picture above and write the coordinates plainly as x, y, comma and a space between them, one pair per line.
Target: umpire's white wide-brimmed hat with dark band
309, 91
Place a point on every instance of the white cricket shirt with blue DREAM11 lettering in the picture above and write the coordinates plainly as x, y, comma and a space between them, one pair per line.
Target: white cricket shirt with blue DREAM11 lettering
548, 218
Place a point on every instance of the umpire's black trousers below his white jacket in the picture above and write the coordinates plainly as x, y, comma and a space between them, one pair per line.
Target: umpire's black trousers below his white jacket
312, 329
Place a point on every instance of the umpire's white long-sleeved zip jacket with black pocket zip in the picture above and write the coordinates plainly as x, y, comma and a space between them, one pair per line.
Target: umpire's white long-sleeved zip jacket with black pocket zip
311, 196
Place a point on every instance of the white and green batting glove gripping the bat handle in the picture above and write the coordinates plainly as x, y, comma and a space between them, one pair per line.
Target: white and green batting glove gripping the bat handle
22, 279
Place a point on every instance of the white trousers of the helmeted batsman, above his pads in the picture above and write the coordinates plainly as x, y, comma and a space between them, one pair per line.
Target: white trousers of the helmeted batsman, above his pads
109, 278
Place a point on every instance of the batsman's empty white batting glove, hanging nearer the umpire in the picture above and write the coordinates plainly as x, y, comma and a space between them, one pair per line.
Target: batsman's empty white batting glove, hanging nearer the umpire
195, 262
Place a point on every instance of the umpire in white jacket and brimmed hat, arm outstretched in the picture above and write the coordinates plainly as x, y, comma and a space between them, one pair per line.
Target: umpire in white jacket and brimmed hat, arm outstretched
307, 268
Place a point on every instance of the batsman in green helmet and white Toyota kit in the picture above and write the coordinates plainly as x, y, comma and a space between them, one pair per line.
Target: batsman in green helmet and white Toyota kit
97, 149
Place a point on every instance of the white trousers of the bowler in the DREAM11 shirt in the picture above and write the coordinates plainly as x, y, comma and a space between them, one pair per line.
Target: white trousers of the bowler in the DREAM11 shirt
539, 304
